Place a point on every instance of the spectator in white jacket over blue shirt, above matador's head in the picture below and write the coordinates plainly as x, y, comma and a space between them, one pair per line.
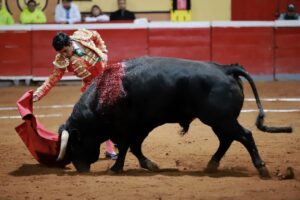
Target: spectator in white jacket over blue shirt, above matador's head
67, 13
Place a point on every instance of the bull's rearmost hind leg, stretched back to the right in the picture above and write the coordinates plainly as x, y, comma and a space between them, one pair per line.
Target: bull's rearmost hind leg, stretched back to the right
244, 136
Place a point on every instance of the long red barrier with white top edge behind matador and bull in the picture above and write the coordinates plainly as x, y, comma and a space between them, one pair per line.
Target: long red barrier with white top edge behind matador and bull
259, 46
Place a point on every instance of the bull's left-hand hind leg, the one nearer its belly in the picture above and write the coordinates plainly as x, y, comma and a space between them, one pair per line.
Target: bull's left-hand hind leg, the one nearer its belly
225, 142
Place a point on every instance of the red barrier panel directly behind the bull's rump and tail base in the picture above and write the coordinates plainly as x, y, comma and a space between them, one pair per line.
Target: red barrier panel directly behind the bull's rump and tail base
251, 47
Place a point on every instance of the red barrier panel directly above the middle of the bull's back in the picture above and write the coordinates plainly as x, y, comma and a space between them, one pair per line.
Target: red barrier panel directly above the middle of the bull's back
180, 42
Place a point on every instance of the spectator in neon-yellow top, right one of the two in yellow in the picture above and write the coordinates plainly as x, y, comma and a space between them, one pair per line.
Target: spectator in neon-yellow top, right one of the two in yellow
32, 15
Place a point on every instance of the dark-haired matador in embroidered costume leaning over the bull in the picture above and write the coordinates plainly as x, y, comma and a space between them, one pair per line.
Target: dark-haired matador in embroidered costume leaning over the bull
85, 55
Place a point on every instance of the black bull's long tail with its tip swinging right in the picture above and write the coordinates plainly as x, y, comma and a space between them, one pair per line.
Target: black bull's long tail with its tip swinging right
237, 71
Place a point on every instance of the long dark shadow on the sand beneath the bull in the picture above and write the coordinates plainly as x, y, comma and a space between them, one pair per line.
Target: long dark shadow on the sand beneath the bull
37, 169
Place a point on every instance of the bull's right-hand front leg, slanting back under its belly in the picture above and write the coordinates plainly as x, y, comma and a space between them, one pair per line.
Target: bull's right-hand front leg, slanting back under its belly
136, 149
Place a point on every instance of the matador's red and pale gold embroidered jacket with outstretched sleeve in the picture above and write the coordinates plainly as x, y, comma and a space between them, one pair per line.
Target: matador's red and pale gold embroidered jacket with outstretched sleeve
87, 62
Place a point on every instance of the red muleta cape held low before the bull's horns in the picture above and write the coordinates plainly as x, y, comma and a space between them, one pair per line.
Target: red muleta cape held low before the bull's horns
42, 144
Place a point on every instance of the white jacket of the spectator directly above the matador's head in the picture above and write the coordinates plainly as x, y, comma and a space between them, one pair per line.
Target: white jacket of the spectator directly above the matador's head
61, 14
